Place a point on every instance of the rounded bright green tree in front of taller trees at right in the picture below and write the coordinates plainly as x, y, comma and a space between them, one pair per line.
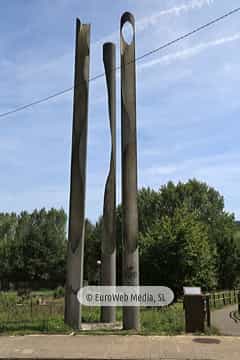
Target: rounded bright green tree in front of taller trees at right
175, 252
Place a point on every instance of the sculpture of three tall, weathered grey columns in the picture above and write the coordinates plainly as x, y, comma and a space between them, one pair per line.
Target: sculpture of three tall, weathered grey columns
74, 280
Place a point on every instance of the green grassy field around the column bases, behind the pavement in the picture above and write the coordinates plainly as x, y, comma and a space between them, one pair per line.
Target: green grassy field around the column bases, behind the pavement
27, 316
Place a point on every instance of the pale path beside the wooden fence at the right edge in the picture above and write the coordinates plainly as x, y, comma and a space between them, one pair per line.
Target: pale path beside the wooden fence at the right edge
227, 320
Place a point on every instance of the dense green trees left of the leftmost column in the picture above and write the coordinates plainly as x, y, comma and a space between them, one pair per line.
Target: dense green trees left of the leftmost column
33, 247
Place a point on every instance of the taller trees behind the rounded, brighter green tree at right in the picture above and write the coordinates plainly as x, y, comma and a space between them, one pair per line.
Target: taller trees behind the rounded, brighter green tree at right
206, 206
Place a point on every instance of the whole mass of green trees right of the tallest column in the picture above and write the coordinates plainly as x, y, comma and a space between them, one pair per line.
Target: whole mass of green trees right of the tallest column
204, 223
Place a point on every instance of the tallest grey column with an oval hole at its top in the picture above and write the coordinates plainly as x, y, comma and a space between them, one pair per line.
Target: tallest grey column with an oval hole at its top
129, 171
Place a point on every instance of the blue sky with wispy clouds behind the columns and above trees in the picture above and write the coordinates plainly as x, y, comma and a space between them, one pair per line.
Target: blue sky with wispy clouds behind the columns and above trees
187, 98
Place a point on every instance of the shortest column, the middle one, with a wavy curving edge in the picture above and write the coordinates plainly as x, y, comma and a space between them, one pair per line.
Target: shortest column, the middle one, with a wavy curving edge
108, 264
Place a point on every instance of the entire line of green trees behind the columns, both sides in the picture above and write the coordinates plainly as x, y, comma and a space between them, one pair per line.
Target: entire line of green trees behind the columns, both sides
185, 237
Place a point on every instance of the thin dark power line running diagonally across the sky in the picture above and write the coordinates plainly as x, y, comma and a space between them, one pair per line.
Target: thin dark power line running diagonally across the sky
151, 52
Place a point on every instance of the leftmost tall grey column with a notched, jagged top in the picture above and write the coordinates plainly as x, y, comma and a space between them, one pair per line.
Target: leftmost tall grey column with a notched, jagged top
75, 259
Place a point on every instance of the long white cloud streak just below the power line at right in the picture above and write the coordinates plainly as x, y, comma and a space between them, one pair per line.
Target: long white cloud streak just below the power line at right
190, 51
